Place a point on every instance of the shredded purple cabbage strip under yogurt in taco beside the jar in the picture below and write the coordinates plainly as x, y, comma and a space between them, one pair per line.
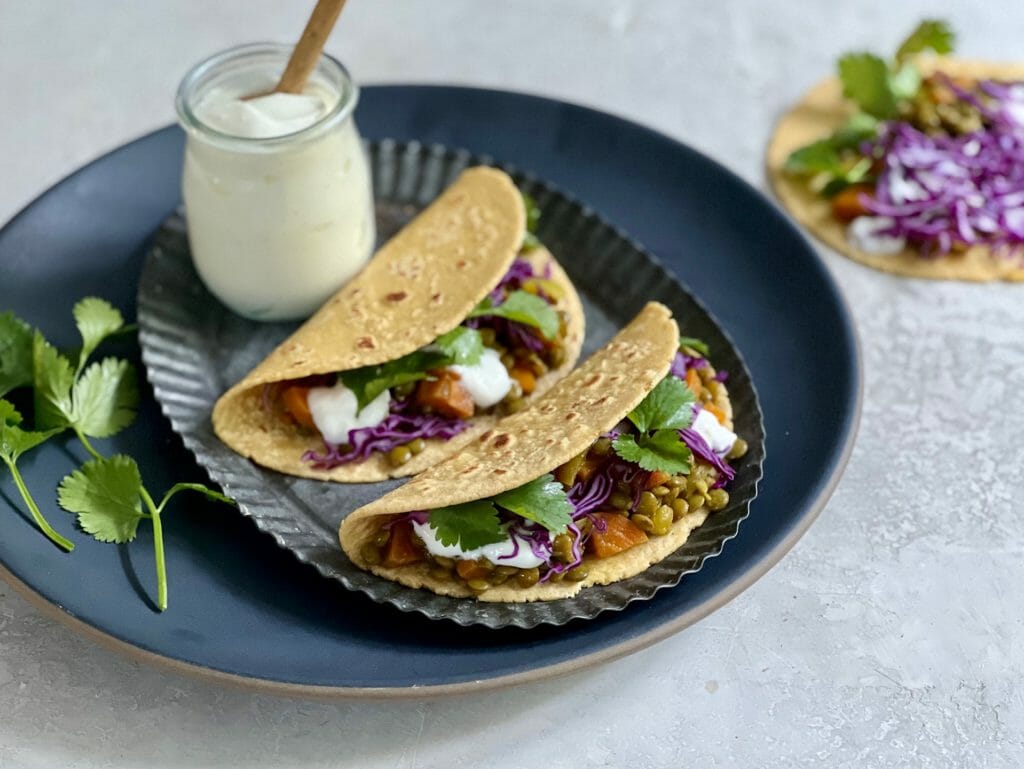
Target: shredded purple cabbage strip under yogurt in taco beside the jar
404, 424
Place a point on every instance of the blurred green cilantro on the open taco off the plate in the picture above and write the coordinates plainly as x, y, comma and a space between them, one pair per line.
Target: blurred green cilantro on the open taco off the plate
881, 91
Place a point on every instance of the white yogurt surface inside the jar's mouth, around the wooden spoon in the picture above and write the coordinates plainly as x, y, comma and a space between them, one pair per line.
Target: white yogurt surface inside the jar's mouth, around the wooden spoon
263, 117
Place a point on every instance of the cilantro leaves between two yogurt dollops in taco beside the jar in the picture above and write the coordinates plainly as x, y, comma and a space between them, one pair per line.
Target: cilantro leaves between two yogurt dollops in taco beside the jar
460, 347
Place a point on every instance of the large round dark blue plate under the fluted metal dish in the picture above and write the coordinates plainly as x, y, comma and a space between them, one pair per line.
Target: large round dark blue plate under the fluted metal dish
241, 609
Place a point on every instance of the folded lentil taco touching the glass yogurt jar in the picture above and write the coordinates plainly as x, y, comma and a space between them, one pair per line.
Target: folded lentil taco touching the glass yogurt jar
460, 319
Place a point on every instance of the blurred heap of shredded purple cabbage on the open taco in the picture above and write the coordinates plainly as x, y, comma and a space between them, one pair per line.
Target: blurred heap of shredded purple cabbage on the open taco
968, 190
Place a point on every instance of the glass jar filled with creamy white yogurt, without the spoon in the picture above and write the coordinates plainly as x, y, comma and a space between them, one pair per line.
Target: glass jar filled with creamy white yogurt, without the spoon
277, 188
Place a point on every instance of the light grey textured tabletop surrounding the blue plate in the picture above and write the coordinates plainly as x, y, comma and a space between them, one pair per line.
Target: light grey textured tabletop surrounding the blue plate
890, 637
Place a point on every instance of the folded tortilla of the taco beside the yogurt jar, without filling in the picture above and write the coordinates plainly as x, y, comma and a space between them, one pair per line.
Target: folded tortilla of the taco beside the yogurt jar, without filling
421, 284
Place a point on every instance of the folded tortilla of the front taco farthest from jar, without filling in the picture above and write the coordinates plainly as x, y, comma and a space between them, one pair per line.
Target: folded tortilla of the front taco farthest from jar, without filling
554, 430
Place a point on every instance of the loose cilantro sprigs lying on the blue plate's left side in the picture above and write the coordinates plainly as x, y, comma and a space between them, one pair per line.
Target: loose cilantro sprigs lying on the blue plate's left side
96, 400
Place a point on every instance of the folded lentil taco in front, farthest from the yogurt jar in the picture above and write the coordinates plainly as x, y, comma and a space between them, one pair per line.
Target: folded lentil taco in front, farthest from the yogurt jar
604, 477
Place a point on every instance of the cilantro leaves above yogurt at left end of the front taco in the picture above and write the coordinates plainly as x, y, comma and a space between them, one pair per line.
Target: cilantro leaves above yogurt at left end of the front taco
474, 525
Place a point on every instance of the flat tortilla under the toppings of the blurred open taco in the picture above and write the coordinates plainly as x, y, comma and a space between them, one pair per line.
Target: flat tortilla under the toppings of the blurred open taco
816, 117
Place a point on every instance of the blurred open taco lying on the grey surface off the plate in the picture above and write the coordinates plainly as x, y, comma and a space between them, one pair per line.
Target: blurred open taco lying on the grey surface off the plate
912, 166
